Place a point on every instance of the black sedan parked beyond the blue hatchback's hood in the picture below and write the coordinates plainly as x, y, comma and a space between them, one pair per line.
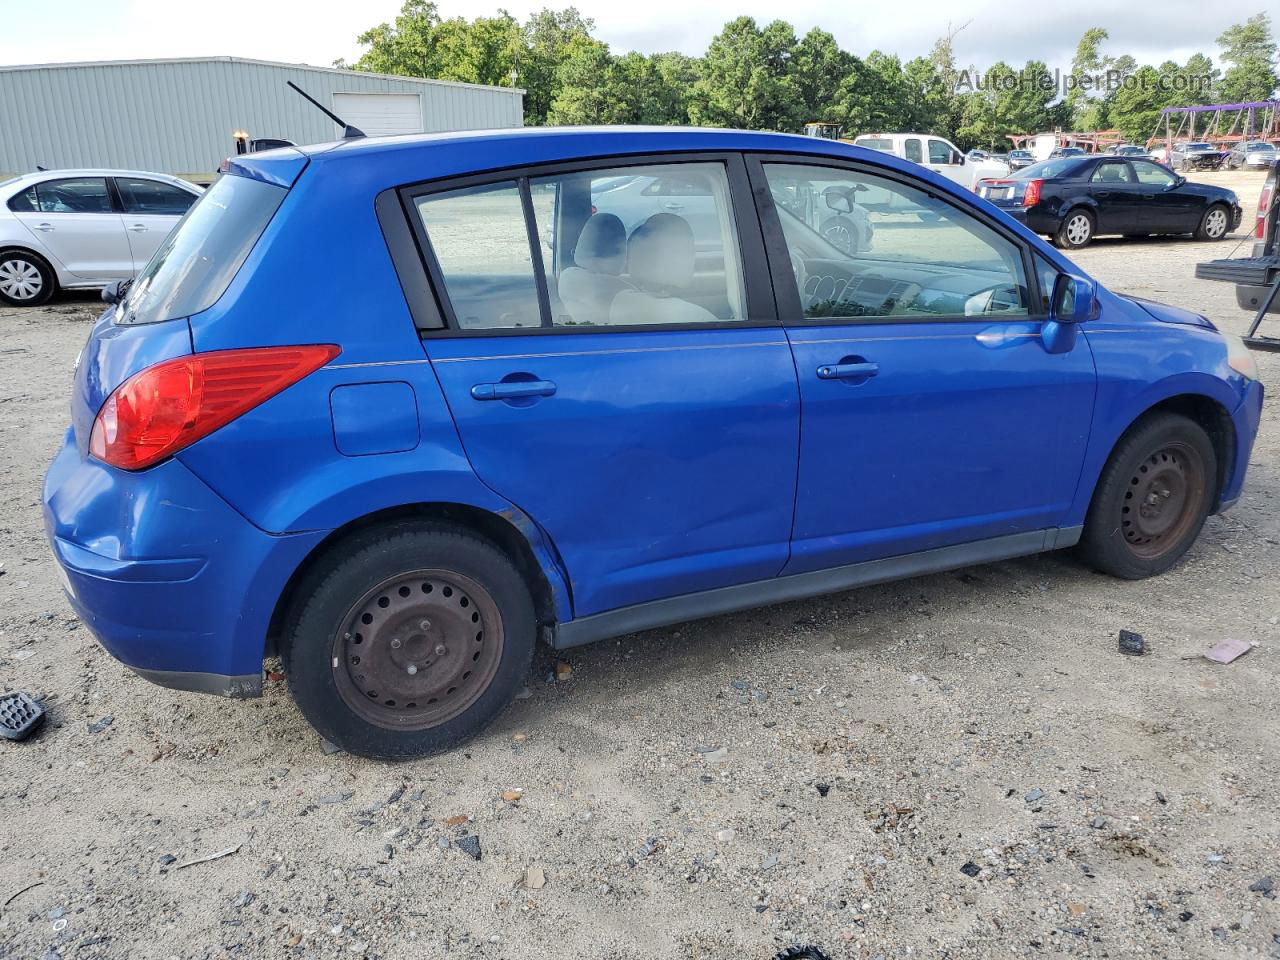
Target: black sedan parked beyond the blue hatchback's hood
1076, 199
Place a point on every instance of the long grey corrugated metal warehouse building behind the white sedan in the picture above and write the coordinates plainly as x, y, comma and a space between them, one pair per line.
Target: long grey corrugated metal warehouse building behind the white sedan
180, 117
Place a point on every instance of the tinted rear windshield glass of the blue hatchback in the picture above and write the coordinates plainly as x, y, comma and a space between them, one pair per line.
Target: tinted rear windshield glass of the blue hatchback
196, 264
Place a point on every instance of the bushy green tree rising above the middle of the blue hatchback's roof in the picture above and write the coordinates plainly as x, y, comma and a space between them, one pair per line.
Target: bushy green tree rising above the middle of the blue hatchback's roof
744, 81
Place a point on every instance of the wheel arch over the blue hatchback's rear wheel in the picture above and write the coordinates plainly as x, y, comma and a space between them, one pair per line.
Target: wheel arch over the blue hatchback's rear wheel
511, 532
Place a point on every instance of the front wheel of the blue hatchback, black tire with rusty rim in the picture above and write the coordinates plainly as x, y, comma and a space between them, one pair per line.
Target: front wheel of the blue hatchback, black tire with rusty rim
1153, 499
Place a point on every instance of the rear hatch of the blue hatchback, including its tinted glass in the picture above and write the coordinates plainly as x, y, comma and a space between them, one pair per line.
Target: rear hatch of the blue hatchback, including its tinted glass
190, 272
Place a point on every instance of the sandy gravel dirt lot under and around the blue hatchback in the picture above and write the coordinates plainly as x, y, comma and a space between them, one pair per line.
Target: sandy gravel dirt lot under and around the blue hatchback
817, 772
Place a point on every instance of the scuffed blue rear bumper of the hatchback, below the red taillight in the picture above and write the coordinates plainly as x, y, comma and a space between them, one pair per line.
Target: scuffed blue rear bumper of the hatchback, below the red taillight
168, 577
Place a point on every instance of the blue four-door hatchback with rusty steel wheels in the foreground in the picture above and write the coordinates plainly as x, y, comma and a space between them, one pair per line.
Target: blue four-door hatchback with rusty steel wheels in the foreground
396, 409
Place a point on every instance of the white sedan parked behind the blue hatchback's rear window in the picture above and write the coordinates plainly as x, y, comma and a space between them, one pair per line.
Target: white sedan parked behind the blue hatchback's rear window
79, 230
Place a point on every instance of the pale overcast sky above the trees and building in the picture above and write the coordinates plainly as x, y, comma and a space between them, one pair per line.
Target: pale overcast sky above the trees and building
322, 31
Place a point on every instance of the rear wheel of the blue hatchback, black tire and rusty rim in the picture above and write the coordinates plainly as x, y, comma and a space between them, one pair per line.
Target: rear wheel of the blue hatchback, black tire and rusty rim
327, 661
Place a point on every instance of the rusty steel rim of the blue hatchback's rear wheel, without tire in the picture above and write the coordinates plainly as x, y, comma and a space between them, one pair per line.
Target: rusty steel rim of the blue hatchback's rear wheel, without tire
418, 650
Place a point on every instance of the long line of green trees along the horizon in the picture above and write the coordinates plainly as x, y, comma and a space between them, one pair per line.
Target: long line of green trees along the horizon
766, 77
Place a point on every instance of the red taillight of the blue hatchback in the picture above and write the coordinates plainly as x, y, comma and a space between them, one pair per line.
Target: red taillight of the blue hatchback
170, 406
